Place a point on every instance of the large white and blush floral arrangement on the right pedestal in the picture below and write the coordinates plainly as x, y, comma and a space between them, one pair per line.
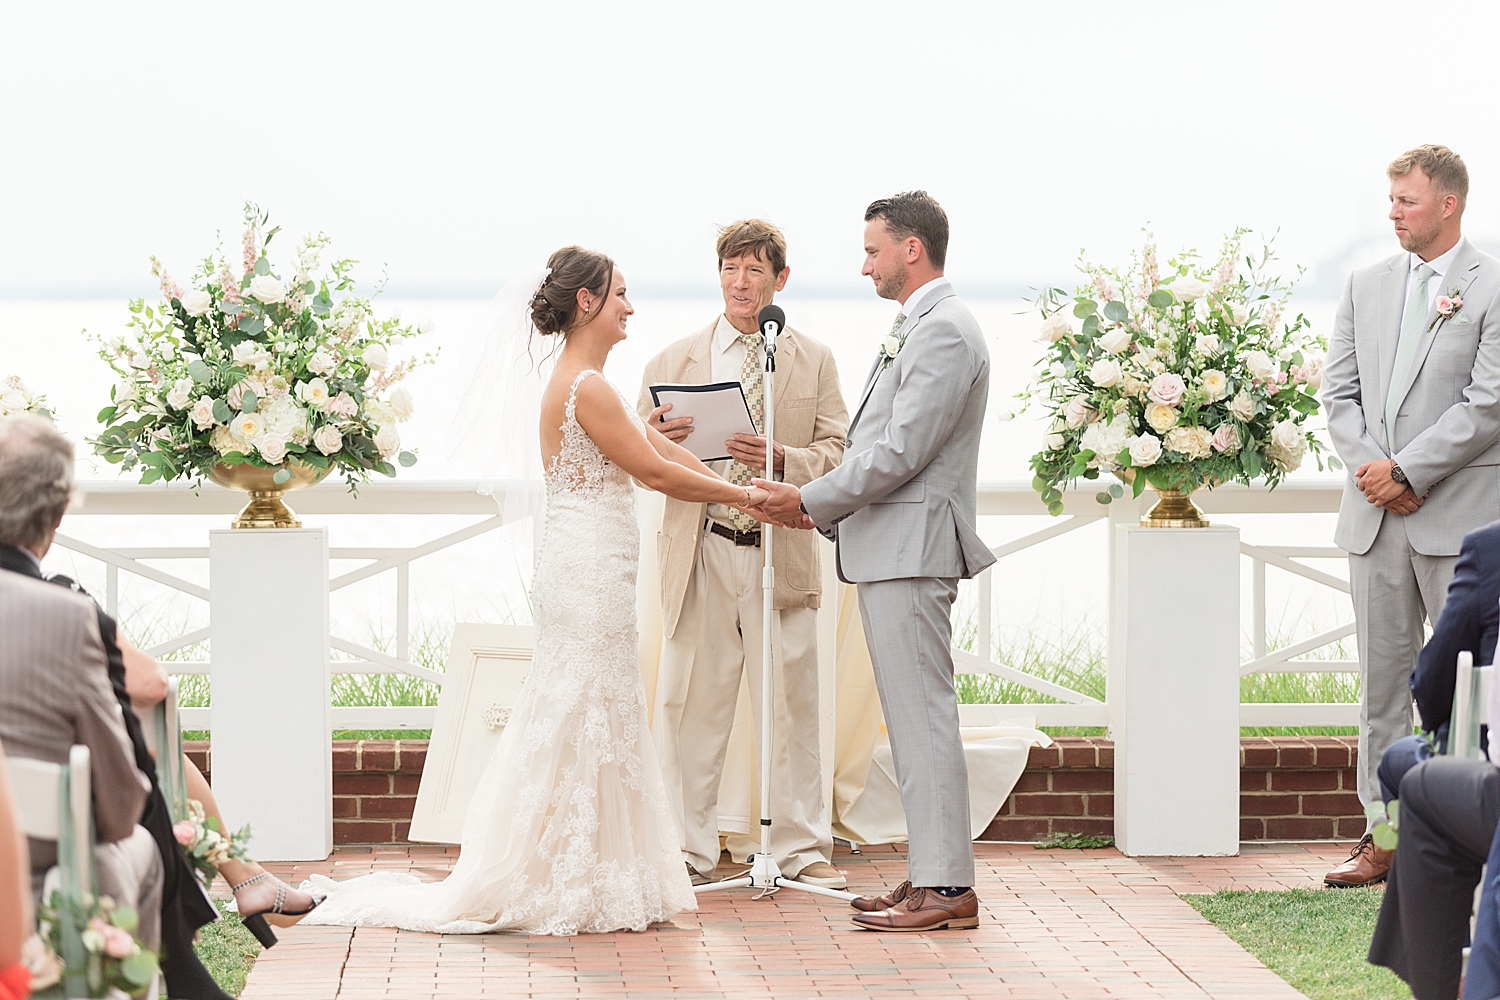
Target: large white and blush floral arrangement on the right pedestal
1180, 377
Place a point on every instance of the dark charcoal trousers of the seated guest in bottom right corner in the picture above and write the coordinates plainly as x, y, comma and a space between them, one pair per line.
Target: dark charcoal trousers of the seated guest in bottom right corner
1450, 810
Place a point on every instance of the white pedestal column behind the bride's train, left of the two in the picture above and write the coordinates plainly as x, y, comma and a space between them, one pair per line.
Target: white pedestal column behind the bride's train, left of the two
269, 639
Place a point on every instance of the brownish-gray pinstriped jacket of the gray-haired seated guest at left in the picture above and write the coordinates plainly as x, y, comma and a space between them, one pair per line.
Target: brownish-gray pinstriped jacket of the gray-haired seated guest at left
55, 692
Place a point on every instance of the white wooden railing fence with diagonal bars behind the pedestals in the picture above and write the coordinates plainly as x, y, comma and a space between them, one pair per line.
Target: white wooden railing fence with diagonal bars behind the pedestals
412, 500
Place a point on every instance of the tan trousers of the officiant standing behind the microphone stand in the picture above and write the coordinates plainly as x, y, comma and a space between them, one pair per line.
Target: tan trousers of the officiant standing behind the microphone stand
718, 638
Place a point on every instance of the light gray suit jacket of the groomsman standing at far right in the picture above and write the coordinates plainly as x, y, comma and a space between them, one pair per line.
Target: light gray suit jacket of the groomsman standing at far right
1448, 427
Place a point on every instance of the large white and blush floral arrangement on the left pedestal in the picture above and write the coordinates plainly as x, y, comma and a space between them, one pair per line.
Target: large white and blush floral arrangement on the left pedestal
257, 370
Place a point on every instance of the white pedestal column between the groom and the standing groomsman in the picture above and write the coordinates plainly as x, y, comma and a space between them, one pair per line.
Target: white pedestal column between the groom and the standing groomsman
1174, 690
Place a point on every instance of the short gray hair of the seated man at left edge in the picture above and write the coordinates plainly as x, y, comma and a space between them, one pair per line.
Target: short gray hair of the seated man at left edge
37, 479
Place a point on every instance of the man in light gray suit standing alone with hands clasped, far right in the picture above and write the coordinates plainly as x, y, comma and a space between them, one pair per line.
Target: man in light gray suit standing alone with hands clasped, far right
1412, 391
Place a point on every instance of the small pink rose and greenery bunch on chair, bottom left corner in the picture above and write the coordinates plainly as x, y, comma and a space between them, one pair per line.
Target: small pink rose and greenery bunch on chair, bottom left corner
103, 935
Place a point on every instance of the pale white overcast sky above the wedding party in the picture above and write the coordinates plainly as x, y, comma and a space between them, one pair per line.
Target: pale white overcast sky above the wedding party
458, 143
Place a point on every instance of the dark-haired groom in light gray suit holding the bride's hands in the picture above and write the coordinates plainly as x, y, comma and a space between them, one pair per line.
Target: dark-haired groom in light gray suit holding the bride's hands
902, 509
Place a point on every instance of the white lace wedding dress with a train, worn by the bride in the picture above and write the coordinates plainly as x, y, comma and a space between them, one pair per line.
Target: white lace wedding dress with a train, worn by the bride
569, 830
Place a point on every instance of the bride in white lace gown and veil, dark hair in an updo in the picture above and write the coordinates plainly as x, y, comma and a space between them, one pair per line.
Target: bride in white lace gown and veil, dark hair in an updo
569, 830
